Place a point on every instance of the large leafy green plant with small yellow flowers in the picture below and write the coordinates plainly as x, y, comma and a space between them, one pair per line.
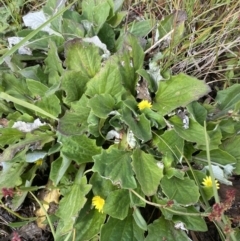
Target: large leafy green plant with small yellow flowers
110, 130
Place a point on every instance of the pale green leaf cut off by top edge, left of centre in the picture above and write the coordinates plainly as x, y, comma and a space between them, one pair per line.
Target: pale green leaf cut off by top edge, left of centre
96, 12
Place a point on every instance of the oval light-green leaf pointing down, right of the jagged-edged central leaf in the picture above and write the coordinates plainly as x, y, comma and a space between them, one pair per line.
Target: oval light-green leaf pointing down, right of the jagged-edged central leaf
147, 172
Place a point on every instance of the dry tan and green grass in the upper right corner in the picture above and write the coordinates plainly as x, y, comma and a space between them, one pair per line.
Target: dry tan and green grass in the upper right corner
210, 46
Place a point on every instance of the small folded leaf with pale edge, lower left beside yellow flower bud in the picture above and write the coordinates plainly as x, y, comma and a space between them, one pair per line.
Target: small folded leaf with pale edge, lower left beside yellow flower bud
58, 169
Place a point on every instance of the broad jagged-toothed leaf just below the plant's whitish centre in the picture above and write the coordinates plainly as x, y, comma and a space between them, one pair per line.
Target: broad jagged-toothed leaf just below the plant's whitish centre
115, 165
